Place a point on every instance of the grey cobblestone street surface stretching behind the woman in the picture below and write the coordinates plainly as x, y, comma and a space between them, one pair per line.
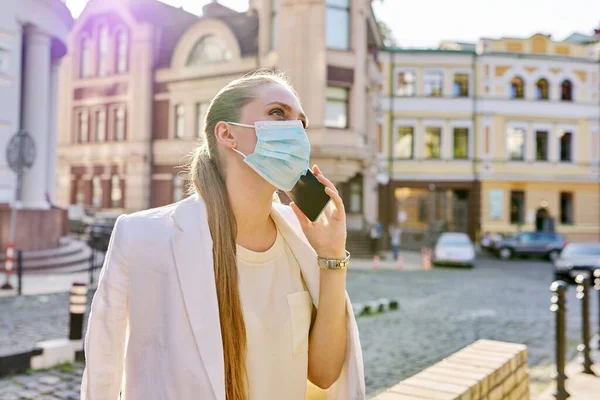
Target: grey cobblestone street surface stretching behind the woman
441, 311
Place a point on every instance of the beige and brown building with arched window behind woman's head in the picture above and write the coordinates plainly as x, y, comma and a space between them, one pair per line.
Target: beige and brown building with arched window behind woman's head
136, 84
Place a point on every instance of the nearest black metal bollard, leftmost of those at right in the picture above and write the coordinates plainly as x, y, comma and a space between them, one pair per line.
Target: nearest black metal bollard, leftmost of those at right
558, 300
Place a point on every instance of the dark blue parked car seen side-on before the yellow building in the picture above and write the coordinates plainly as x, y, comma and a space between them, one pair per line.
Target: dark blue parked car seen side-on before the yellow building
537, 244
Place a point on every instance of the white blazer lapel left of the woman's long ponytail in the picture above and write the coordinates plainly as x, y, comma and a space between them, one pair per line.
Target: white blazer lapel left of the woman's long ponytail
192, 250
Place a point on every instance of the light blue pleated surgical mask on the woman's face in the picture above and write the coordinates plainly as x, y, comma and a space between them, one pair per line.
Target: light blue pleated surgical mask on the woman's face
282, 152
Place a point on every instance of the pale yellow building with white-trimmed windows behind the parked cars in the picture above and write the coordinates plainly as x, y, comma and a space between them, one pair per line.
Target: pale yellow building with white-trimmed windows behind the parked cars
485, 136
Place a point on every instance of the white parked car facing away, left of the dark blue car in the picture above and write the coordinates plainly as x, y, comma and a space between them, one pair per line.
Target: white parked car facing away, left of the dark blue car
453, 248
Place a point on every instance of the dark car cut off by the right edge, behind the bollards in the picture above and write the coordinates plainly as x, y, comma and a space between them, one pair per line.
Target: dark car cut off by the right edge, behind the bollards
575, 259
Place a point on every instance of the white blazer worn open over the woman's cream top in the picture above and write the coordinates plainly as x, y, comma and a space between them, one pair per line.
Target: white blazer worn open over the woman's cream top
154, 330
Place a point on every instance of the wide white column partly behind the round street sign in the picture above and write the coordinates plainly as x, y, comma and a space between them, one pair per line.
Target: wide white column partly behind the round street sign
36, 87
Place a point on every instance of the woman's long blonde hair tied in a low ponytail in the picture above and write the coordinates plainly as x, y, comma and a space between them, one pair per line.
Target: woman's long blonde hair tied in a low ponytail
208, 177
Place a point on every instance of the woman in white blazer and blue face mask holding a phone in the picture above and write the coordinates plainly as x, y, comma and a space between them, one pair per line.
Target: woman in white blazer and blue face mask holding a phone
220, 296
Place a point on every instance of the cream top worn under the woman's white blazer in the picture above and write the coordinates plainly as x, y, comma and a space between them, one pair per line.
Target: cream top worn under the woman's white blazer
277, 312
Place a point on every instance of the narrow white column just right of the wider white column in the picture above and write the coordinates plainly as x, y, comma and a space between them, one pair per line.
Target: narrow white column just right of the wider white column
52, 129
